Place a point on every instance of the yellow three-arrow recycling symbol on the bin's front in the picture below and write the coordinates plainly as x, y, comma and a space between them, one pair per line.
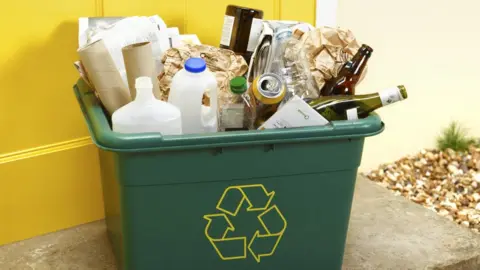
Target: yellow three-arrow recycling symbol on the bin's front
261, 244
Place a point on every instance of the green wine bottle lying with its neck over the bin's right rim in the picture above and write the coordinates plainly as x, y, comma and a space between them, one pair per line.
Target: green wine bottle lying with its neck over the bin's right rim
356, 106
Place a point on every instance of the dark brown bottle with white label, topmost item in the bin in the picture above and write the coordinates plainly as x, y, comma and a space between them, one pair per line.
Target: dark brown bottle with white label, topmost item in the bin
241, 29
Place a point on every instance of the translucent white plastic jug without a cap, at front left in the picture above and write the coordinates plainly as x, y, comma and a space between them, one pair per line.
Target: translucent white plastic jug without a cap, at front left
146, 113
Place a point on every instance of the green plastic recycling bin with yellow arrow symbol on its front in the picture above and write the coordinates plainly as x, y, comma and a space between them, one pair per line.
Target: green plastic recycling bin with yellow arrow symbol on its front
259, 200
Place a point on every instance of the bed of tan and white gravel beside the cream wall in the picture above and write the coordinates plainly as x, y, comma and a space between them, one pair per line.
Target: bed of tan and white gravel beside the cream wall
446, 182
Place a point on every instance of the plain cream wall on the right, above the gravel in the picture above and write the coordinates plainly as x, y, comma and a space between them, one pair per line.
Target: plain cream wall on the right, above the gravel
431, 46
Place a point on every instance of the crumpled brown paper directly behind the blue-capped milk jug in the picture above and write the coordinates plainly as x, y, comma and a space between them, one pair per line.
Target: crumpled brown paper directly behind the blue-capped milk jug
225, 64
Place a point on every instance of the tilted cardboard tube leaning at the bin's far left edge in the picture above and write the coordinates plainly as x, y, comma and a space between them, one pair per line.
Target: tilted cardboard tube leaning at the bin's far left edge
104, 76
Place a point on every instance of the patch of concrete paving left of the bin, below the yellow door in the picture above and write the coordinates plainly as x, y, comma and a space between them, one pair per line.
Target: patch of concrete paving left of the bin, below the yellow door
85, 247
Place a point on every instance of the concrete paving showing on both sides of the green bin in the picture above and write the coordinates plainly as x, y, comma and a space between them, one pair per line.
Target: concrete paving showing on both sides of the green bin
386, 232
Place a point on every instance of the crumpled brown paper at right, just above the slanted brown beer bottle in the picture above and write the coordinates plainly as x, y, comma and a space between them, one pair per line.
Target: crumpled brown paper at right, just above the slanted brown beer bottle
327, 49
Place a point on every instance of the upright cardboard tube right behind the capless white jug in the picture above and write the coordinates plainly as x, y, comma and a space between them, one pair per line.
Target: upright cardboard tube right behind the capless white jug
139, 62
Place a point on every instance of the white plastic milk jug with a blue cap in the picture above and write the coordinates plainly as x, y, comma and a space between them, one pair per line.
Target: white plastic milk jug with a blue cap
186, 92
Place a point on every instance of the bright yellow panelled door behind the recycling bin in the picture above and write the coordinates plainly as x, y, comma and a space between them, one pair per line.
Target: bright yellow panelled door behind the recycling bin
49, 175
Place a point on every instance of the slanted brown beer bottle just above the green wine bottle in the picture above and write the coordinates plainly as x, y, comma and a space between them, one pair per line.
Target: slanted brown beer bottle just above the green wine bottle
348, 76
